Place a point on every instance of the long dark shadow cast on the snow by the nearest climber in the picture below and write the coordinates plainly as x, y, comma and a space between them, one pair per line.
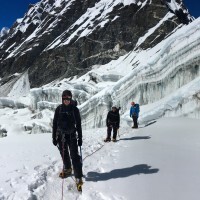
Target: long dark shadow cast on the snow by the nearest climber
120, 173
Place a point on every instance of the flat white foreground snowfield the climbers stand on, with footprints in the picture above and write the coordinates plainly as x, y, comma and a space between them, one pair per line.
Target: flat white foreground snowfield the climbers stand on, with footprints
159, 161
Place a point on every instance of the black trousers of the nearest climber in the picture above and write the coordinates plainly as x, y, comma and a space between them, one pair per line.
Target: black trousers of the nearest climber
67, 145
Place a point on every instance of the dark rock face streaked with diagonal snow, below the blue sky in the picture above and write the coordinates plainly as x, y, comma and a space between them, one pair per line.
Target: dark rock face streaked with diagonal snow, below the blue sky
57, 39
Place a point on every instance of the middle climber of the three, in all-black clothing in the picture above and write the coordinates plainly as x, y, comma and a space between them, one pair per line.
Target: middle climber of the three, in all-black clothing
112, 122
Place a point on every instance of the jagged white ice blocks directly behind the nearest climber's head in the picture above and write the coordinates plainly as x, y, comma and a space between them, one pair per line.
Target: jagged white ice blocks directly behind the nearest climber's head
50, 96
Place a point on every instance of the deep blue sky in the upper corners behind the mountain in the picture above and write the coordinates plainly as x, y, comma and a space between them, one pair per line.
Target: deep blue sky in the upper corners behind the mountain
10, 10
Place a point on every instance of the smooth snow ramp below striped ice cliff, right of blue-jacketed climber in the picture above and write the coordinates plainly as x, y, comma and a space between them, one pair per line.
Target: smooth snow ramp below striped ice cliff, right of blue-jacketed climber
183, 102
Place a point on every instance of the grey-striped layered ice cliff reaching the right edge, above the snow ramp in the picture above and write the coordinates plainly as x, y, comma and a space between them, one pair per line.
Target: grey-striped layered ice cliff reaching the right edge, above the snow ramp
176, 64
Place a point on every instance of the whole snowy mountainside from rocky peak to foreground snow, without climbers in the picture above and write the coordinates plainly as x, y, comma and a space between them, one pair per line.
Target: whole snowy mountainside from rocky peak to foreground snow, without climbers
107, 53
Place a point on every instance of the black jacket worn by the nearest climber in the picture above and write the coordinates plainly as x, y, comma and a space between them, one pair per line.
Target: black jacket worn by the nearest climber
67, 118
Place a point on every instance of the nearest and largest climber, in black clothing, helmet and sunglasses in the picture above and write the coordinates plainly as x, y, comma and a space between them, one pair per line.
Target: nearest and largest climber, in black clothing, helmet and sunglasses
66, 123
